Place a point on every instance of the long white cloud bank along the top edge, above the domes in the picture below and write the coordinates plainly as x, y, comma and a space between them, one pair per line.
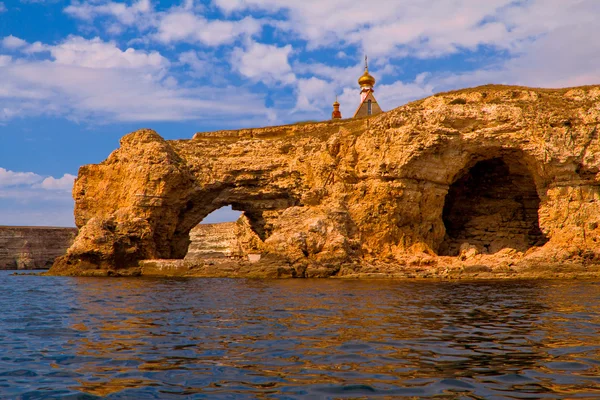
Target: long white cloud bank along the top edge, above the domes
397, 28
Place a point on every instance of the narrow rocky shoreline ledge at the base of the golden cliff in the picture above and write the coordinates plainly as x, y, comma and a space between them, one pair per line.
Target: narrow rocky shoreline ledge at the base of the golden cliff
273, 270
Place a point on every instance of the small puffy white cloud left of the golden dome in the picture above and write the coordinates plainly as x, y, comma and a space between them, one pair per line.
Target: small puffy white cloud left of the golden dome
263, 62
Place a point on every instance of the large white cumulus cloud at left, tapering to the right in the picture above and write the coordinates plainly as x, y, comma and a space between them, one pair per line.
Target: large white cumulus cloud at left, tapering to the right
95, 79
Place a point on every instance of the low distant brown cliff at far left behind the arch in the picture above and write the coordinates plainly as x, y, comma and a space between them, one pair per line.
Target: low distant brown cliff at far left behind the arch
33, 247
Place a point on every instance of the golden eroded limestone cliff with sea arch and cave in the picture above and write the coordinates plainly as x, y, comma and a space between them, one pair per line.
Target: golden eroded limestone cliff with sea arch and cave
508, 174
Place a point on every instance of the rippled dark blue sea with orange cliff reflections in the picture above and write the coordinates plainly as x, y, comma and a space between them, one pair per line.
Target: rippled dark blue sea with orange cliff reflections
221, 338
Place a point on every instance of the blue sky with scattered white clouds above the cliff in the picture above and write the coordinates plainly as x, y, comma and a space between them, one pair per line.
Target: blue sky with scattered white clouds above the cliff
75, 76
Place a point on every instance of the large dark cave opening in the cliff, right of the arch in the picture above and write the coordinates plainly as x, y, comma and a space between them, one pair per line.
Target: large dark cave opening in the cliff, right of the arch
492, 206
